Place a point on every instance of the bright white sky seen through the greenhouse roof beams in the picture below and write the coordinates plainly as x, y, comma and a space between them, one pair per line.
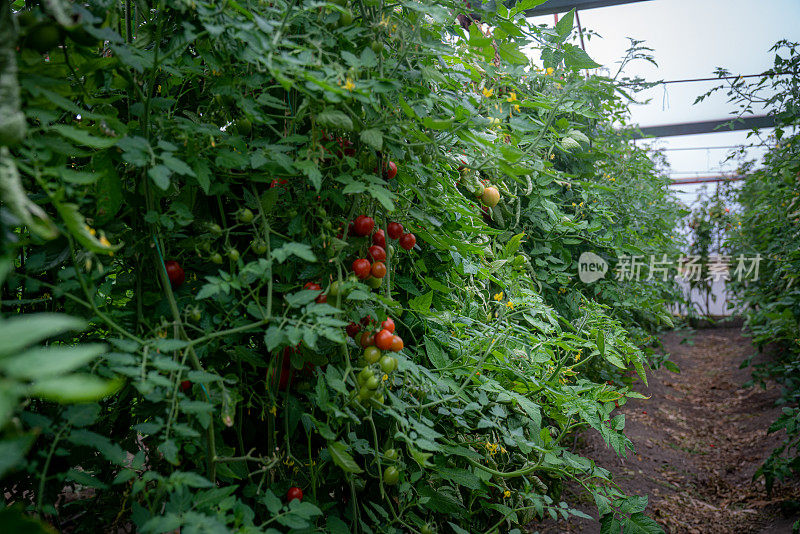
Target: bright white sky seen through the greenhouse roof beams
690, 38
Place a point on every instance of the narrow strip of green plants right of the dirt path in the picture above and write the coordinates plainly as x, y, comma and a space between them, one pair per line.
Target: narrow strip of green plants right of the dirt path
767, 222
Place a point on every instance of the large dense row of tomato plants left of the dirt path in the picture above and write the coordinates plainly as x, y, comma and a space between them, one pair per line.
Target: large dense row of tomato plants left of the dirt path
239, 139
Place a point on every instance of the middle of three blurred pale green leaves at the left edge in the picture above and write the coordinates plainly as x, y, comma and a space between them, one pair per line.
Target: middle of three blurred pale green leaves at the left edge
44, 362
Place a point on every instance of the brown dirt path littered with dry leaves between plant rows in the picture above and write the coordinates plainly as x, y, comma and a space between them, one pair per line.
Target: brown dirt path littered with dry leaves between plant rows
699, 439
